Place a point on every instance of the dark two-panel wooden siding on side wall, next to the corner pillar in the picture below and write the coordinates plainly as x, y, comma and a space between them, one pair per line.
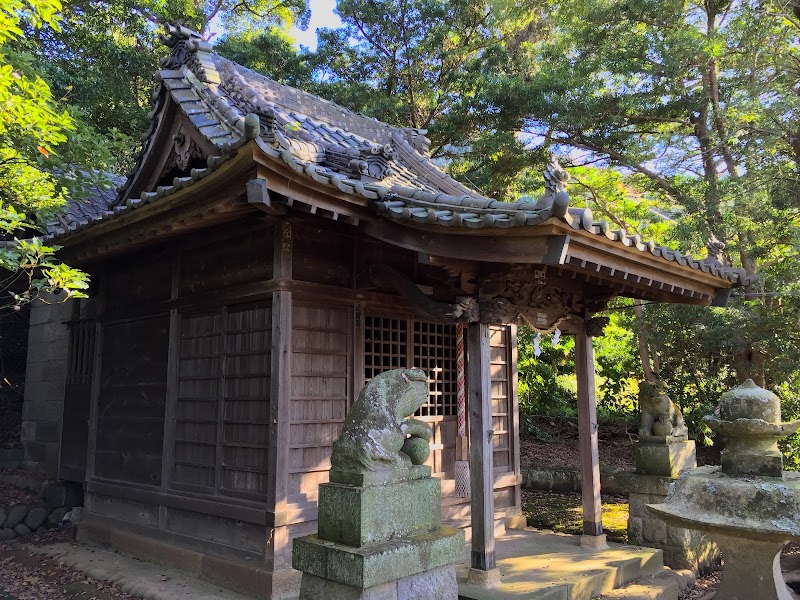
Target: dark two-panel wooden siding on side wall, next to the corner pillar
222, 408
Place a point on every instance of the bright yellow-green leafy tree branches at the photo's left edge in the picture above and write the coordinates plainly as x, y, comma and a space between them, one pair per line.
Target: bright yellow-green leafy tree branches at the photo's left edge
44, 155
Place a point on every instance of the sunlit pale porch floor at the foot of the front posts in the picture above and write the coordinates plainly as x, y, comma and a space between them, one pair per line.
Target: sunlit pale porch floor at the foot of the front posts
542, 565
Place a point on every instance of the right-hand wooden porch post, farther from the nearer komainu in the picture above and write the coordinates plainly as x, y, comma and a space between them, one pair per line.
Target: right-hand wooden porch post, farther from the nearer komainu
587, 430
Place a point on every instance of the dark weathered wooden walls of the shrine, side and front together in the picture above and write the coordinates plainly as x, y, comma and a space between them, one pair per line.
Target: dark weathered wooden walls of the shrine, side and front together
183, 400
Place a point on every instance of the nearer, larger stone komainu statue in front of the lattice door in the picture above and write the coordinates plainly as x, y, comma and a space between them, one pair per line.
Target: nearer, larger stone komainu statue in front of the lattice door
374, 435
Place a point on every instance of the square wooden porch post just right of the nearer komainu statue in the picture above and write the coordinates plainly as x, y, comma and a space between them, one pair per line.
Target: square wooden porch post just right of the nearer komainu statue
484, 570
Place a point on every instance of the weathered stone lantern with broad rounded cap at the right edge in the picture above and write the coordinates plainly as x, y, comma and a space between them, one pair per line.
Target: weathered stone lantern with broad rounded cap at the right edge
749, 506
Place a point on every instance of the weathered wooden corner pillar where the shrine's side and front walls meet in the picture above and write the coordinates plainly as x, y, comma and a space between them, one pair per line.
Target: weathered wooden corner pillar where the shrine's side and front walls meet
277, 542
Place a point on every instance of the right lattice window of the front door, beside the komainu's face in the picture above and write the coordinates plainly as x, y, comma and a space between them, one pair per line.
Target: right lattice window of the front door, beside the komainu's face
435, 353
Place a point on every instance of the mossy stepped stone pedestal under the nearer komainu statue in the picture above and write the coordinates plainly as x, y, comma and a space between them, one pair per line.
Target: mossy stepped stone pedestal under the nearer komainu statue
380, 541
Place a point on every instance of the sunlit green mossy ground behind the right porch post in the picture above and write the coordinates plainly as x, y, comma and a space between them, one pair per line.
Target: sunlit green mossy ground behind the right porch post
562, 512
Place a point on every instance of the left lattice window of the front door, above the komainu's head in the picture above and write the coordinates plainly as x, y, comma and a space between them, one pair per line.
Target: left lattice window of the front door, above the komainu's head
385, 345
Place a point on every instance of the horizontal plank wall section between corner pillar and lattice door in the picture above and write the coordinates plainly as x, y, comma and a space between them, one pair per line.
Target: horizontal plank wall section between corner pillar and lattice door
320, 393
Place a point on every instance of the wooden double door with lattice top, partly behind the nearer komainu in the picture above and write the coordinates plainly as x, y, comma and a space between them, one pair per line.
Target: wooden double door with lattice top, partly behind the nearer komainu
392, 342
